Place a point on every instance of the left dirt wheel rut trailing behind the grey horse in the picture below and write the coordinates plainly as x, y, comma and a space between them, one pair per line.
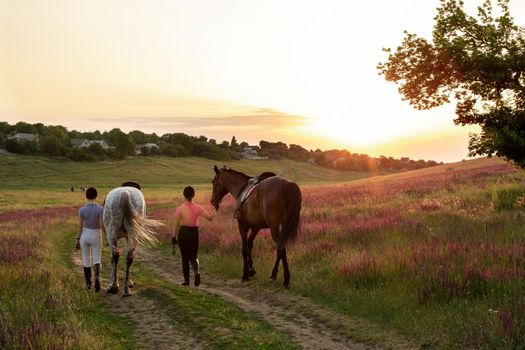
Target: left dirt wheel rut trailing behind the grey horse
153, 329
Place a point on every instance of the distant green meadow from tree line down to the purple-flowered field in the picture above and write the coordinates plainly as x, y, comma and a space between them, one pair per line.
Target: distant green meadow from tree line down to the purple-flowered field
35, 182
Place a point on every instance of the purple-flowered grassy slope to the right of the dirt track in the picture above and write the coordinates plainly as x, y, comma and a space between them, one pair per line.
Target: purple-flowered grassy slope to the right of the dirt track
436, 255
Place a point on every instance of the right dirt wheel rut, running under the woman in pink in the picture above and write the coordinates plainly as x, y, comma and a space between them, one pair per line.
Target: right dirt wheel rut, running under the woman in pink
294, 315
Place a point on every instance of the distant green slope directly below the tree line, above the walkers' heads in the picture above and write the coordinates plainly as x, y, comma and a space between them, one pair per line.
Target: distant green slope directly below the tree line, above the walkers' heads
39, 172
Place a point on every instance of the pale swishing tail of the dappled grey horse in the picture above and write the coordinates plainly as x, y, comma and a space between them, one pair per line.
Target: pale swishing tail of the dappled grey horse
135, 224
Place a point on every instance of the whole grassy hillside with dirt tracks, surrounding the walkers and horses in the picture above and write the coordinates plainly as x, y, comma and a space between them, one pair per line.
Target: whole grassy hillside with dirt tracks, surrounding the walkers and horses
401, 261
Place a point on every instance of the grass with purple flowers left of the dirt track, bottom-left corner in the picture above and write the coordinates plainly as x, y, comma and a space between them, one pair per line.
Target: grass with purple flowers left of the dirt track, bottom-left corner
43, 302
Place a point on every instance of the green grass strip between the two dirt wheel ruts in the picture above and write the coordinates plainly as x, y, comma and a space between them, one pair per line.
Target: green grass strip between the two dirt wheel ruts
215, 323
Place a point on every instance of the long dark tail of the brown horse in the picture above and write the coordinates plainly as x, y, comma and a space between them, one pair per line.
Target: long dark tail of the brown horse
291, 221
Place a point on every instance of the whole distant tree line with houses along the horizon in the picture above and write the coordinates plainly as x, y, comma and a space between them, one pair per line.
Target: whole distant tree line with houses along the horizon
55, 141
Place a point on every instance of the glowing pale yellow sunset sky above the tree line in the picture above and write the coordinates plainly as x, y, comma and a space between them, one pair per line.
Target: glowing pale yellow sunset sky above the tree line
294, 71
